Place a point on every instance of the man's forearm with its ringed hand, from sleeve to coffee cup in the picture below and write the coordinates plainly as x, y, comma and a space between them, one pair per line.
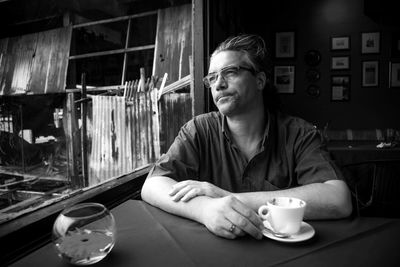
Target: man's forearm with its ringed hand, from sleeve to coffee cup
224, 216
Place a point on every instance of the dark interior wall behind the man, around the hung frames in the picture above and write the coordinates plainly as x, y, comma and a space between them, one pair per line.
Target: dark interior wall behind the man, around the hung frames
314, 23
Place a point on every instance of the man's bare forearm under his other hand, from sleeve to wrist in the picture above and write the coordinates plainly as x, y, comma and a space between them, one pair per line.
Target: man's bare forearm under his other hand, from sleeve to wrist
155, 191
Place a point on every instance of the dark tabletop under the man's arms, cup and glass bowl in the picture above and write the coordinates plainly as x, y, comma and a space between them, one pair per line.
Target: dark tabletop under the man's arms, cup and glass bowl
148, 236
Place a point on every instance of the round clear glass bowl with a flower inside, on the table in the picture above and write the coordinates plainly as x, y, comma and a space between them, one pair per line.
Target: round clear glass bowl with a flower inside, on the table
84, 234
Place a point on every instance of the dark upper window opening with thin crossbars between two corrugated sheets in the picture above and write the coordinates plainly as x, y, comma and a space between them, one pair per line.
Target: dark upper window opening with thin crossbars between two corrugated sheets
112, 51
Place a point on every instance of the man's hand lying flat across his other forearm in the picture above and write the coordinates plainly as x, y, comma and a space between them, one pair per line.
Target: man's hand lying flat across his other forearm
186, 190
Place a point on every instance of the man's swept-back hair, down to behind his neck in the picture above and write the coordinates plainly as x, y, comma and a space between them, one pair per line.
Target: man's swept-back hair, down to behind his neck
253, 46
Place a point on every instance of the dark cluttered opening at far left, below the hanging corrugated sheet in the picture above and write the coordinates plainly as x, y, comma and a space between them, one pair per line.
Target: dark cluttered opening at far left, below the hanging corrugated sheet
33, 153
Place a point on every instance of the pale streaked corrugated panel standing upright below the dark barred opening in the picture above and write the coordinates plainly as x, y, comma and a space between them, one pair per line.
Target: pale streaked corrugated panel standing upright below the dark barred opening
122, 136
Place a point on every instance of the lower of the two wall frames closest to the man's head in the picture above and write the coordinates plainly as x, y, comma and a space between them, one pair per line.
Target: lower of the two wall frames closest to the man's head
284, 78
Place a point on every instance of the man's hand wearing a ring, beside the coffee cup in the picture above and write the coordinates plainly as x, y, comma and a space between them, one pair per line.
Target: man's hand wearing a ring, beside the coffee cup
221, 213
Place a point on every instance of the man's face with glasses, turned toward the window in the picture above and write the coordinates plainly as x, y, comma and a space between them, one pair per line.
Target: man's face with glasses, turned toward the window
235, 91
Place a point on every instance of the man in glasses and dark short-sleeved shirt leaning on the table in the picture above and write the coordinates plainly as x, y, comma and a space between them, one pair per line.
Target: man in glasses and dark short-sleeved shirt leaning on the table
223, 165
